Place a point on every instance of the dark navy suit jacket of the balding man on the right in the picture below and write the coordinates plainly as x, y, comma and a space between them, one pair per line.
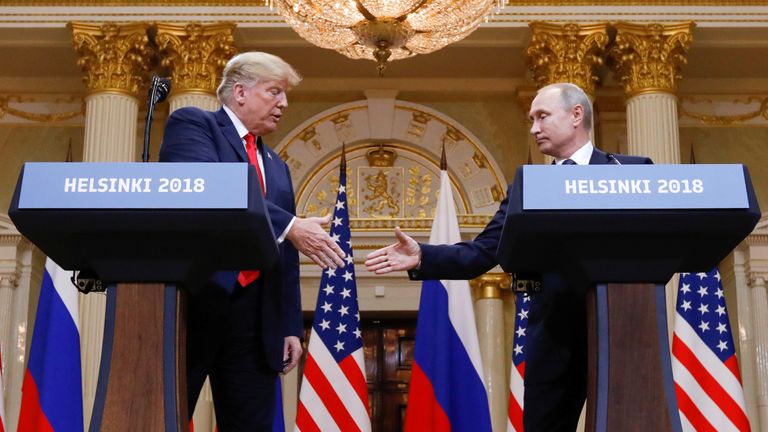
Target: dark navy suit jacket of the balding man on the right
556, 333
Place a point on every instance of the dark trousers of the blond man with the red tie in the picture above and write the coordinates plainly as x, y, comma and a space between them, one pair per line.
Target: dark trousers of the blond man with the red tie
224, 342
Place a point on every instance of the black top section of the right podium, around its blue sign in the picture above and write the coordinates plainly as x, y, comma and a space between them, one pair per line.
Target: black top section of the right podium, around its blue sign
621, 245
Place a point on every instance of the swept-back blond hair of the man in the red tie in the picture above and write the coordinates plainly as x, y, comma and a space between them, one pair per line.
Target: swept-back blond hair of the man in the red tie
251, 67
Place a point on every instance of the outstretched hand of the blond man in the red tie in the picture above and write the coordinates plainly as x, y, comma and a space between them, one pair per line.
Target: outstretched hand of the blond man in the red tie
309, 237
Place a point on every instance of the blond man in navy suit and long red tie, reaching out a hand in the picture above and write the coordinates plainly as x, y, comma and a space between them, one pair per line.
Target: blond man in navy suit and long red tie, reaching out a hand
245, 327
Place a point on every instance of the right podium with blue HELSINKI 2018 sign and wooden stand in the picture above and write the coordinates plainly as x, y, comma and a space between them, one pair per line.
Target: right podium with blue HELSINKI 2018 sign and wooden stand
626, 229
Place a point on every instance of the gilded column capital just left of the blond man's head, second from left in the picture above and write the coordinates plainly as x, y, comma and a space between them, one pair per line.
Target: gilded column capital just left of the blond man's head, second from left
195, 54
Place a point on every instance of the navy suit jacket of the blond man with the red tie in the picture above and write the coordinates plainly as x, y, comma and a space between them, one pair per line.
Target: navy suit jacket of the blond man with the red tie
194, 135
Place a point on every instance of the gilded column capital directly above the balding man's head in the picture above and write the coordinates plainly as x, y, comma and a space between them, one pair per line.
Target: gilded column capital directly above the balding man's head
567, 53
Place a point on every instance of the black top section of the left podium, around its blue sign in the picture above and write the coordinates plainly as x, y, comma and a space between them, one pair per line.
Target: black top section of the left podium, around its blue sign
152, 245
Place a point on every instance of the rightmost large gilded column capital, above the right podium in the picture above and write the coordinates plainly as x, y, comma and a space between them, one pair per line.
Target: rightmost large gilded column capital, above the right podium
649, 57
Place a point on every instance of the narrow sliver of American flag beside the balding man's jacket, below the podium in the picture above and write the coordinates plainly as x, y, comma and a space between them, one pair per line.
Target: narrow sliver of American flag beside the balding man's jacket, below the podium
517, 382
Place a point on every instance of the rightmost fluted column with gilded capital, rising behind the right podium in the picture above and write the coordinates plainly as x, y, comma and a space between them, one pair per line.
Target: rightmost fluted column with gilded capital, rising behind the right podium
647, 60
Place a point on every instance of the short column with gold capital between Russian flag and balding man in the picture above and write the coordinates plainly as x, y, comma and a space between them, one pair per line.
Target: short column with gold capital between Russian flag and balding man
489, 317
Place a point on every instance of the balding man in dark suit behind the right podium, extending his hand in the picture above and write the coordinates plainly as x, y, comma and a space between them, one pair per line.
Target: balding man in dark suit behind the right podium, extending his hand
556, 363
